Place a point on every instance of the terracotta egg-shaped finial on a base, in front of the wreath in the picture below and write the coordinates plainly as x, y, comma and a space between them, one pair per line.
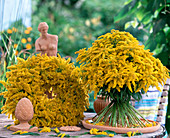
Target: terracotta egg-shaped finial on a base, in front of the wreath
24, 112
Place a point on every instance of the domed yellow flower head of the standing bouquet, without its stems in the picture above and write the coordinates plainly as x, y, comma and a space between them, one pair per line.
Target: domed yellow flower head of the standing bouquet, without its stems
116, 60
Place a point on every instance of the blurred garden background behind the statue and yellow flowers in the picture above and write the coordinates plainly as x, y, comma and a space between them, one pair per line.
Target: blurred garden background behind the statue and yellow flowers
78, 23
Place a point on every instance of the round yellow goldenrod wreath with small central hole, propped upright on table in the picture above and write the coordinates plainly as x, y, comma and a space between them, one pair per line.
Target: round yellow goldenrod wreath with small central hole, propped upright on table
31, 78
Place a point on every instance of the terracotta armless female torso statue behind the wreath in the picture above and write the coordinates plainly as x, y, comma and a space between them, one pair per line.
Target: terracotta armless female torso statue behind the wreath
46, 43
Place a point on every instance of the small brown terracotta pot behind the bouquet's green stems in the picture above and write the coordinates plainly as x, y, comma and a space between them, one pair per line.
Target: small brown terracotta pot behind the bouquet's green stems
100, 103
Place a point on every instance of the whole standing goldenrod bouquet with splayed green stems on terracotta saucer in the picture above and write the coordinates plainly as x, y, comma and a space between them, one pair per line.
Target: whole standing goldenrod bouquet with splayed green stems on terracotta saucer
117, 67
